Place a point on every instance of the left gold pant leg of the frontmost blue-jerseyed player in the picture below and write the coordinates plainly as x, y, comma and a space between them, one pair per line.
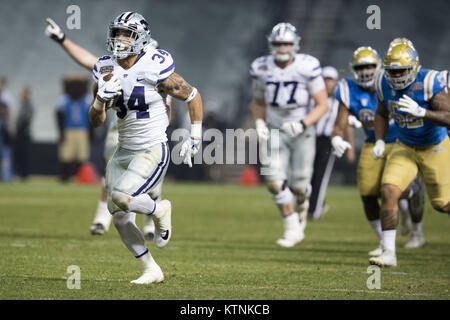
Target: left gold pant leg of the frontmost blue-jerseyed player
401, 166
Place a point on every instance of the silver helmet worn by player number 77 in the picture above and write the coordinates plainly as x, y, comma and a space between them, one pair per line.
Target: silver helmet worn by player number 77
283, 33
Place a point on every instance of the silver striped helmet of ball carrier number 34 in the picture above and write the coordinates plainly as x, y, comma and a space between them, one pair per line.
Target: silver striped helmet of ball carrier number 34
128, 34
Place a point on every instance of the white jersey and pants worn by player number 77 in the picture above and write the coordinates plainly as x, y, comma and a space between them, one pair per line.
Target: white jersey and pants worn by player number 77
287, 93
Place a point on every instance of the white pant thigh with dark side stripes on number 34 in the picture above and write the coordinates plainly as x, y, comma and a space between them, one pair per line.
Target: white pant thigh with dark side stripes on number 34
145, 170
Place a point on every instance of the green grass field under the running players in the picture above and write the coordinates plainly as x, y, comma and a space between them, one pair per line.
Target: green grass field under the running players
223, 247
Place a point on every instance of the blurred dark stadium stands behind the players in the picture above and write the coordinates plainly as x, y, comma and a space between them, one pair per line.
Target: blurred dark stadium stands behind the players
213, 43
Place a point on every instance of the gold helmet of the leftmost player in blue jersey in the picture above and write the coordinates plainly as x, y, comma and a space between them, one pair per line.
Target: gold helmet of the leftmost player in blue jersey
363, 58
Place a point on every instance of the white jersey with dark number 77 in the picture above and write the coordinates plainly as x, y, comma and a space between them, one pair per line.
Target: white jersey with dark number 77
287, 92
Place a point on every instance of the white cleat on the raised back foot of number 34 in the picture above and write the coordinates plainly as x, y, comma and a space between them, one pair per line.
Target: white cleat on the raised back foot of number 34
163, 224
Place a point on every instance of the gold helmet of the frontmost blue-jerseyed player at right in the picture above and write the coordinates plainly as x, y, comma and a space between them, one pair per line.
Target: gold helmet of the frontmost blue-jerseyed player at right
400, 57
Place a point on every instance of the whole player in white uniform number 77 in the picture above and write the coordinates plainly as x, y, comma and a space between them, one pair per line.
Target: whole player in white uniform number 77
284, 83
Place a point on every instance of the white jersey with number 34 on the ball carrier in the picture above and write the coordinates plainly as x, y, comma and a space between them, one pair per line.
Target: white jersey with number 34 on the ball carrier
142, 116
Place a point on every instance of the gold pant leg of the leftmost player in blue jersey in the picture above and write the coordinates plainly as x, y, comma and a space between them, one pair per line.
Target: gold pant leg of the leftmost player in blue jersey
370, 171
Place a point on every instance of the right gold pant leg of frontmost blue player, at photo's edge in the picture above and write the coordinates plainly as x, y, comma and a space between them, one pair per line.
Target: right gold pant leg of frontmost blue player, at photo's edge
434, 164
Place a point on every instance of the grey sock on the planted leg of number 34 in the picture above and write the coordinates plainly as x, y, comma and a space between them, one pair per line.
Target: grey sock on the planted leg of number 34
129, 232
